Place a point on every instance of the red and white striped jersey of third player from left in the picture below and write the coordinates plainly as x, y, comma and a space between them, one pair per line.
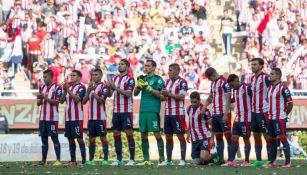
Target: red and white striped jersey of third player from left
97, 111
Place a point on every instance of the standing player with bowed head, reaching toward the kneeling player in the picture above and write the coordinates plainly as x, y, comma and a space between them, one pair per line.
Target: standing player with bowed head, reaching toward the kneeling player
220, 96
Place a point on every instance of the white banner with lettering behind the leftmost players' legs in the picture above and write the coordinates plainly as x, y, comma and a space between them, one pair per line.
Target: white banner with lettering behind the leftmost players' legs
27, 147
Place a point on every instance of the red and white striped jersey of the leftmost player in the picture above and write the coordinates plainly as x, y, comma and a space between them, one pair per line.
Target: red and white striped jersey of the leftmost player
50, 112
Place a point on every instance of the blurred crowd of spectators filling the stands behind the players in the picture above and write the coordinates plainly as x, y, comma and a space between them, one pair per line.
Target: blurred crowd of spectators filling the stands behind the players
66, 34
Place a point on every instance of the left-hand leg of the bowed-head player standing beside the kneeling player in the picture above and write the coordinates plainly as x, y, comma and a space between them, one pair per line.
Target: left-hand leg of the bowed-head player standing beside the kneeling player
218, 133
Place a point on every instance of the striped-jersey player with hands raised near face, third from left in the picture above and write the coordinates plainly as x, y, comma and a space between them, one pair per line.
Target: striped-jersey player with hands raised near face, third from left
96, 94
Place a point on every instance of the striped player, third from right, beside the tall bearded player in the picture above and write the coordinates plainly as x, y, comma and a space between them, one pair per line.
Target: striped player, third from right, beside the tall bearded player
241, 126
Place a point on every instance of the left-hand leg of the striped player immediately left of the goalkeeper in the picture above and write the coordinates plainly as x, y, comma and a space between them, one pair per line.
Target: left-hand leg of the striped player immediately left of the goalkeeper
116, 126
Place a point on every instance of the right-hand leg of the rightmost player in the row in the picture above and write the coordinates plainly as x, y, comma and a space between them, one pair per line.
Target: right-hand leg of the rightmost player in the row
282, 137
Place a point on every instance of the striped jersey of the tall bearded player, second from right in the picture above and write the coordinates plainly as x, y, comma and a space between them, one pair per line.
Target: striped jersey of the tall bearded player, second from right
260, 86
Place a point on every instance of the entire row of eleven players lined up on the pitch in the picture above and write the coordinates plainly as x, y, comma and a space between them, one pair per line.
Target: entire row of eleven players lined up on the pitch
261, 107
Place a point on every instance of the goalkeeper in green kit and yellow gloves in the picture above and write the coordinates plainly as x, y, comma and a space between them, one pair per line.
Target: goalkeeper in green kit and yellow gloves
149, 119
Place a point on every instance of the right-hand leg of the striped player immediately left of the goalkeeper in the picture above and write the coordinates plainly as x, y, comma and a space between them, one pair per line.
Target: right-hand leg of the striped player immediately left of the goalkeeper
127, 124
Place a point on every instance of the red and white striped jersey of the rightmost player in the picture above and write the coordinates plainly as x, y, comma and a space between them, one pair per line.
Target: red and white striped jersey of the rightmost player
279, 97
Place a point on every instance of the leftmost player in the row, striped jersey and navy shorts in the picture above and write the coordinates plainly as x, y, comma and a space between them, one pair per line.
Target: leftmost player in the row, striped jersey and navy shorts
48, 98
